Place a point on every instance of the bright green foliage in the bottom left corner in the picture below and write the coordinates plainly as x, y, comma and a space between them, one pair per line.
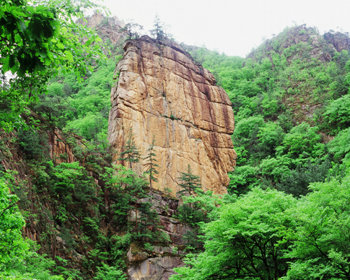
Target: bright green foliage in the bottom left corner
18, 259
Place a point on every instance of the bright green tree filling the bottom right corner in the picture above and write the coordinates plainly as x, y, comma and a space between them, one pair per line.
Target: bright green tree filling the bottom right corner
321, 247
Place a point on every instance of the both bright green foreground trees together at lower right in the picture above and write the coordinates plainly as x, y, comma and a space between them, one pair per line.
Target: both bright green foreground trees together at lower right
267, 234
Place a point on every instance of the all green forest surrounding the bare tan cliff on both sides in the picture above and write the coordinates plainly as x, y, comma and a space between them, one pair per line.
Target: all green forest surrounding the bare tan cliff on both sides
66, 215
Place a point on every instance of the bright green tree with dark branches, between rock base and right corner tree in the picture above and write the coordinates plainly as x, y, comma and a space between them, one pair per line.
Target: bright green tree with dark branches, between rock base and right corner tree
247, 241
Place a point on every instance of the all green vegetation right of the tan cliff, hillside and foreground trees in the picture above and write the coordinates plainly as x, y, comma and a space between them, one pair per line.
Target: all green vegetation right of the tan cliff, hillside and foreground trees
290, 218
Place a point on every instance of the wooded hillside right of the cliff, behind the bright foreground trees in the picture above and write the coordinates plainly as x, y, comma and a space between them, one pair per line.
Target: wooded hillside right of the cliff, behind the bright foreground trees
290, 98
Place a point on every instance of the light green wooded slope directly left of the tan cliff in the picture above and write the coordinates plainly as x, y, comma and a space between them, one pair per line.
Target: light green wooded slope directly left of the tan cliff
80, 106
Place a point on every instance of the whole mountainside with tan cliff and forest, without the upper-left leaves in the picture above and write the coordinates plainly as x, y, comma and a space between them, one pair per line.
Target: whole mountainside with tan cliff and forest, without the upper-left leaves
97, 215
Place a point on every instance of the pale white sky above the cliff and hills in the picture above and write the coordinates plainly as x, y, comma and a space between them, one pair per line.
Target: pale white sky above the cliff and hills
232, 26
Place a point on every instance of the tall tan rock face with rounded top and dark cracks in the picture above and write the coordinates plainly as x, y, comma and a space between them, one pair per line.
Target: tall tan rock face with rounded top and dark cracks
162, 94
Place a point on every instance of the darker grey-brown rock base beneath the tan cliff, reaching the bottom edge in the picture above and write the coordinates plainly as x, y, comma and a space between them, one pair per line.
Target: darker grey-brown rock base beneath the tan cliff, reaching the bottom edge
159, 261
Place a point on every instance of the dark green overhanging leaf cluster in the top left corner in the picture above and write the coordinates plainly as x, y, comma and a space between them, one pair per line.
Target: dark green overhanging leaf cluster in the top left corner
25, 33
